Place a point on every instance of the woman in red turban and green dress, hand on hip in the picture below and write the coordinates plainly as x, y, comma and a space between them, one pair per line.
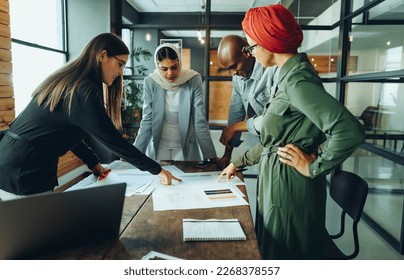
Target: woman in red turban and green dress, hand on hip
292, 172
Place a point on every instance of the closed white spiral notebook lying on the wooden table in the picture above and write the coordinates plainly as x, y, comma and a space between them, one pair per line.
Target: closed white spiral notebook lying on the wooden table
212, 230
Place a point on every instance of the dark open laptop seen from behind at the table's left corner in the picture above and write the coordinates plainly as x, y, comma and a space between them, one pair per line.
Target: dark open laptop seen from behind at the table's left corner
34, 226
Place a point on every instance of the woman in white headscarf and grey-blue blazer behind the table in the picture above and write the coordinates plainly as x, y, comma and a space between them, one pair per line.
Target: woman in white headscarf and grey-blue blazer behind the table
173, 125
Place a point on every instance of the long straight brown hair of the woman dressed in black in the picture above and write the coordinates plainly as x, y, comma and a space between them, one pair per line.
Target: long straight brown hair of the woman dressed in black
86, 67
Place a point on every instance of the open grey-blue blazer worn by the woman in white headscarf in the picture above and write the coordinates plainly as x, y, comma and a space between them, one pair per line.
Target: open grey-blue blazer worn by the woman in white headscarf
194, 128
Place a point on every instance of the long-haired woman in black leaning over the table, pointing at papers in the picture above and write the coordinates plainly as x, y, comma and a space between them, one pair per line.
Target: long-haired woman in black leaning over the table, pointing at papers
66, 107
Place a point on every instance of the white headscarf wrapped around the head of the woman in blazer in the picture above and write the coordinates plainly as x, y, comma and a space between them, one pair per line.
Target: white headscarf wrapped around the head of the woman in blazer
184, 75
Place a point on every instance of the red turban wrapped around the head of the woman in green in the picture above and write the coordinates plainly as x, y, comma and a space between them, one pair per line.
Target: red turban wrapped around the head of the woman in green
273, 27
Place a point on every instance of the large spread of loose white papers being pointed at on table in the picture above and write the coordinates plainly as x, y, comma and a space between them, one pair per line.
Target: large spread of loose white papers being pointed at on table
197, 190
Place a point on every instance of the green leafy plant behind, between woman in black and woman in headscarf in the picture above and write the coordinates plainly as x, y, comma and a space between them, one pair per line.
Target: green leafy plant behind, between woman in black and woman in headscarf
132, 101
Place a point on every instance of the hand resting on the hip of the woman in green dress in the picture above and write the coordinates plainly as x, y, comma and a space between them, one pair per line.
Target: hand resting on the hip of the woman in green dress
293, 156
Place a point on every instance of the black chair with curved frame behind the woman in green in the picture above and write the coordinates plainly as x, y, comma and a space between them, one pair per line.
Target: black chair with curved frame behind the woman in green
349, 191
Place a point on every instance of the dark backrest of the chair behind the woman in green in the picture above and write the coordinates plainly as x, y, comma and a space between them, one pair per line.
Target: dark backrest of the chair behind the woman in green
349, 191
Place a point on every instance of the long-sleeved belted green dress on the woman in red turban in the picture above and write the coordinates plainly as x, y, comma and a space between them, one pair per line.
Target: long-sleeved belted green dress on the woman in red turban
291, 207
